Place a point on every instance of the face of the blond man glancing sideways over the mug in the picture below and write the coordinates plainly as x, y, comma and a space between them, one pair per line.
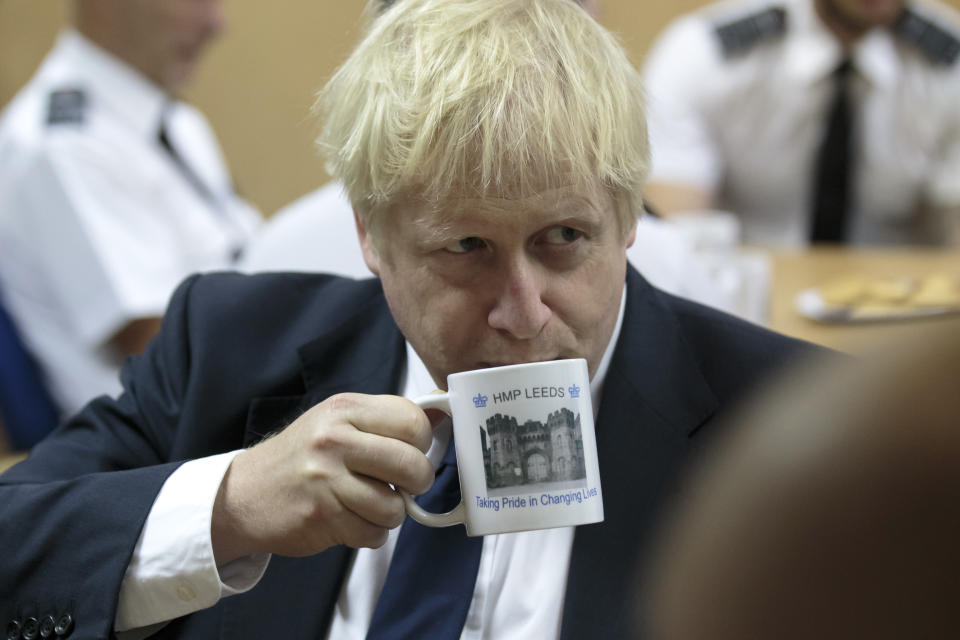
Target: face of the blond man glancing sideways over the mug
481, 284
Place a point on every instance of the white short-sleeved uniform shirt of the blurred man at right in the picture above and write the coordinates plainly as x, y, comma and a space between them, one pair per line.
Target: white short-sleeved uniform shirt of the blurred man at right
747, 127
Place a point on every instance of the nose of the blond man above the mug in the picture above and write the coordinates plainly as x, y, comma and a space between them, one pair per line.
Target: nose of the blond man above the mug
519, 309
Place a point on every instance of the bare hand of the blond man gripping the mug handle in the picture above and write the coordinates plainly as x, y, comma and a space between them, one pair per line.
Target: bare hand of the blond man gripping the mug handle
323, 480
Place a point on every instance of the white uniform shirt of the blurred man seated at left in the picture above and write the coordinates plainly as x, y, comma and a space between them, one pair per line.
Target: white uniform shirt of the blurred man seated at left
97, 223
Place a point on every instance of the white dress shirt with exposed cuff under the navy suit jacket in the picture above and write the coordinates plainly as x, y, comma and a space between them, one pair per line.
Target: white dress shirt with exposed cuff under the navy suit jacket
520, 586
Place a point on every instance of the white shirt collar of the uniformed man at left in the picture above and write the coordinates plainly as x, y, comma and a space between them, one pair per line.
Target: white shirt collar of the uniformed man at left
119, 89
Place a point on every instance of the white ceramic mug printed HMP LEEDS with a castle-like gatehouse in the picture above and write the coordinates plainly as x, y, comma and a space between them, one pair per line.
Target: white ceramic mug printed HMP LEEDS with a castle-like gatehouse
526, 449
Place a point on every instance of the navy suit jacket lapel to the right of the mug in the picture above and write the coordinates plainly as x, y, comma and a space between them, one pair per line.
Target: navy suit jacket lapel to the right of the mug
654, 397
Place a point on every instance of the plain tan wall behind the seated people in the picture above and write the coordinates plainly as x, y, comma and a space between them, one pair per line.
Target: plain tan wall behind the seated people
256, 84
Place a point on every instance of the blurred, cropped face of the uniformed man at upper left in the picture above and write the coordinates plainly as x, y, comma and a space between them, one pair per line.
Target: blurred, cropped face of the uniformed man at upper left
165, 38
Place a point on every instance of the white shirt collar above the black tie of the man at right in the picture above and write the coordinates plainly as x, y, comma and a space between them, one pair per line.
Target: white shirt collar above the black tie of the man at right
812, 53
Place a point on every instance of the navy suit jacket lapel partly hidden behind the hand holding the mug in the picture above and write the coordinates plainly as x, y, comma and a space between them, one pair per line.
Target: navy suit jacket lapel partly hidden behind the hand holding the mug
364, 354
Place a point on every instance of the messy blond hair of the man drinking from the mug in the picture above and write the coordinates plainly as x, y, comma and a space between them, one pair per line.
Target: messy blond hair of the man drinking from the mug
449, 99
